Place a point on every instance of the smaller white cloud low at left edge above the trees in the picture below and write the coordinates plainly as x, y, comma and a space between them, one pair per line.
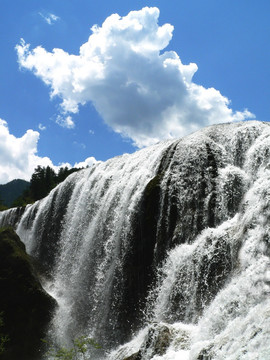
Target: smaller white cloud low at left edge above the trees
18, 156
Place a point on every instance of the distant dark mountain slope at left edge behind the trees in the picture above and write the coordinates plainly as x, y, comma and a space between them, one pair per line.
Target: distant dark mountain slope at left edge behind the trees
12, 190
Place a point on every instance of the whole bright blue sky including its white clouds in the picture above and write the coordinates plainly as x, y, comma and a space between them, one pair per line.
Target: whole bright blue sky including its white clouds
162, 71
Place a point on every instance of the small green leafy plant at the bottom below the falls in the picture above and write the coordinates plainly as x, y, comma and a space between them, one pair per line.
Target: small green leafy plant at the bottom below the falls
78, 351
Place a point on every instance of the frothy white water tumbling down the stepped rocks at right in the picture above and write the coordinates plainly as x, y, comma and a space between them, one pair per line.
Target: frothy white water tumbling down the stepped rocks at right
236, 323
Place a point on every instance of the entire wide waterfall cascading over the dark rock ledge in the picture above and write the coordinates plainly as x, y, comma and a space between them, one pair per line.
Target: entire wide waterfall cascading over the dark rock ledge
167, 248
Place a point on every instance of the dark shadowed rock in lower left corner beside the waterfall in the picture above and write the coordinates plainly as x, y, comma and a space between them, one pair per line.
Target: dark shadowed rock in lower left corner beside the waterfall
26, 308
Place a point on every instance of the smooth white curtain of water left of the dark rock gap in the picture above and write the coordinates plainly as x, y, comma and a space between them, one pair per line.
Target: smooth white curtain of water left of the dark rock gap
99, 211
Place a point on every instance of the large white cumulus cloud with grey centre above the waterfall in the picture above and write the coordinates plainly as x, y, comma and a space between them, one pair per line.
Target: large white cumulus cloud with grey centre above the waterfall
140, 90
